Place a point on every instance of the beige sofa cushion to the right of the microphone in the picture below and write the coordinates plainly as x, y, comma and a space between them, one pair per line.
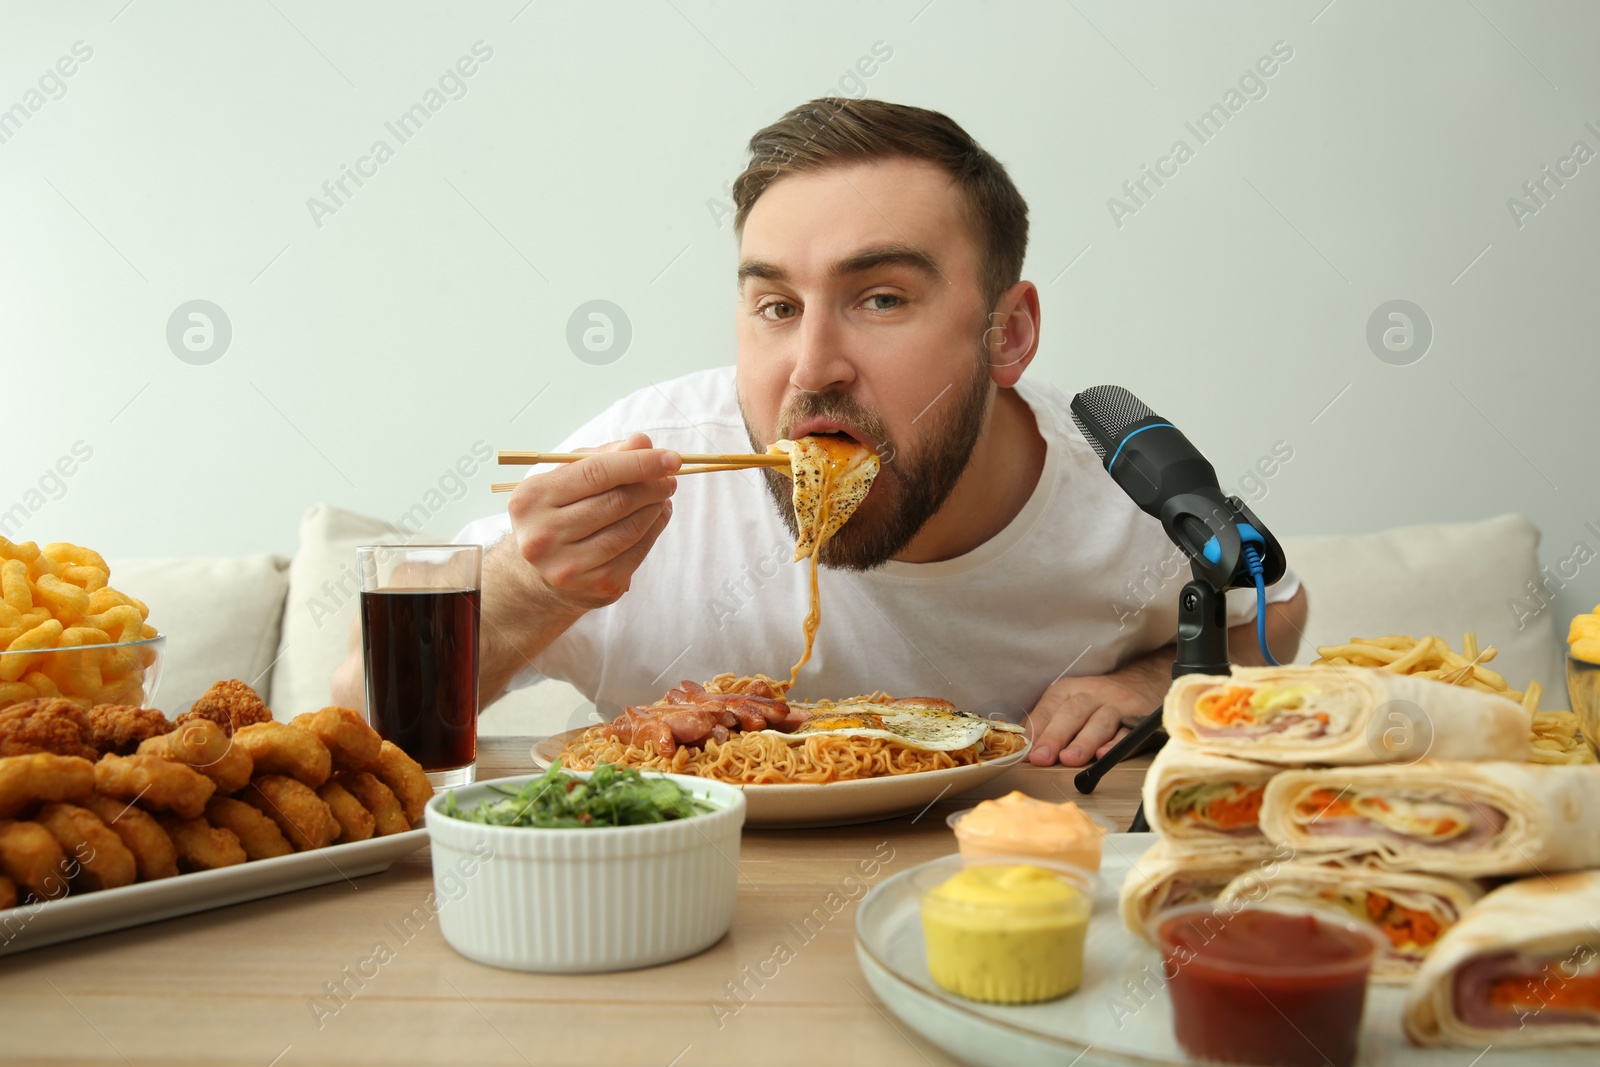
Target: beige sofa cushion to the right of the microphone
1441, 580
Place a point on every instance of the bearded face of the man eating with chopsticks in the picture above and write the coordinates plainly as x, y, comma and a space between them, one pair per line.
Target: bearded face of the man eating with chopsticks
862, 313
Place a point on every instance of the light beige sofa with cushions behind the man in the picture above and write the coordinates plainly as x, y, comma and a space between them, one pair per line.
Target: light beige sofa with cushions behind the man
284, 625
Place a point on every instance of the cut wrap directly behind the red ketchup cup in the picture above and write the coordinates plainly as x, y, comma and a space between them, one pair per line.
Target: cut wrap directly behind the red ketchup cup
1414, 911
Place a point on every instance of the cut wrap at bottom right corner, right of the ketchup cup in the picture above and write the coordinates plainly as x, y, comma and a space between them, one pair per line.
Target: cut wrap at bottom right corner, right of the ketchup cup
1522, 969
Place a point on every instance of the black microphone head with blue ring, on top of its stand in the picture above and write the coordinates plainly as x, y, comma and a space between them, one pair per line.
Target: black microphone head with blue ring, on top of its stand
1169, 479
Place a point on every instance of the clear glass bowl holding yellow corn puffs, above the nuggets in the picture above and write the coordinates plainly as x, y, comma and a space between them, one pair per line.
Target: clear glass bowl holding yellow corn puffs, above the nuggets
126, 673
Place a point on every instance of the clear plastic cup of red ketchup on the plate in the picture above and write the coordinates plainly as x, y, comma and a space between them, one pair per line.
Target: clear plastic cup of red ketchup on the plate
1266, 985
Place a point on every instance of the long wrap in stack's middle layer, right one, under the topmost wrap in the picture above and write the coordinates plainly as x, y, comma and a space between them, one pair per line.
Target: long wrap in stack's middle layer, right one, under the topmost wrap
1465, 820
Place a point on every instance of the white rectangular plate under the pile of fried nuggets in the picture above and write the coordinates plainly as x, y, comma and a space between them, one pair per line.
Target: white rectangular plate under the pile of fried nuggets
38, 925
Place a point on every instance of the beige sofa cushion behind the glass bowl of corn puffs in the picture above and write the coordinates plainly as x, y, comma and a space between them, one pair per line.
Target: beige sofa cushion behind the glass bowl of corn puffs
220, 617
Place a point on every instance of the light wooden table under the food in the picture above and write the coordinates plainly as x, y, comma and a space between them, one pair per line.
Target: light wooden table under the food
279, 981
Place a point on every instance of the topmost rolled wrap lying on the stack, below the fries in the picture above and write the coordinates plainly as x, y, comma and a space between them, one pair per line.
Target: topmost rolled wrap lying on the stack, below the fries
1465, 724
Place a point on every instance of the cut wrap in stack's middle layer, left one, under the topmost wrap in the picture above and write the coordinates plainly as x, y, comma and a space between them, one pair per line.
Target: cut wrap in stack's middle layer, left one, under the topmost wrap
1198, 801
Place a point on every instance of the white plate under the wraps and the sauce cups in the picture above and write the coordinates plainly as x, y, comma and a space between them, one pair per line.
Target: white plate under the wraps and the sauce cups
1086, 1025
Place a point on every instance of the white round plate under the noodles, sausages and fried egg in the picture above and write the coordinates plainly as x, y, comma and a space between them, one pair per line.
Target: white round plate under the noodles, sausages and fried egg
839, 804
